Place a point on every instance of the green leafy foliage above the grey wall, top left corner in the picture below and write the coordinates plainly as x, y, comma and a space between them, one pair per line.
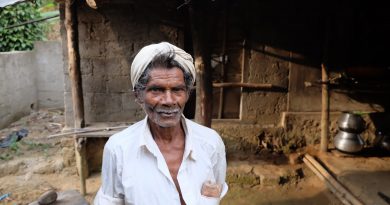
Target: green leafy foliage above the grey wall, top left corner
21, 37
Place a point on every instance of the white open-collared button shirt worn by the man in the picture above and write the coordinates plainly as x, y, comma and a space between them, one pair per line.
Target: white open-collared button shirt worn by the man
134, 171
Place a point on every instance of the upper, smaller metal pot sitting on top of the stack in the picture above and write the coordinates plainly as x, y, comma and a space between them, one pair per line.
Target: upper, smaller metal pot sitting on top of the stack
351, 122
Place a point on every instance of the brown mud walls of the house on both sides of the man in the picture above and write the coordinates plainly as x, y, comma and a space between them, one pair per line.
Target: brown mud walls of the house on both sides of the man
267, 43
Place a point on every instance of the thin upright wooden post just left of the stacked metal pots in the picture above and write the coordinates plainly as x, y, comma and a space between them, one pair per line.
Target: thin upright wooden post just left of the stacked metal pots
324, 110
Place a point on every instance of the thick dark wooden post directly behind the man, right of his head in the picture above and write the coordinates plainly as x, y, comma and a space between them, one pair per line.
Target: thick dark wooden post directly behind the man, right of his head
204, 106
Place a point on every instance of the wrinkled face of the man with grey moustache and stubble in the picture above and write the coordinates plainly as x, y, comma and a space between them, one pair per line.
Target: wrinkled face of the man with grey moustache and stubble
165, 96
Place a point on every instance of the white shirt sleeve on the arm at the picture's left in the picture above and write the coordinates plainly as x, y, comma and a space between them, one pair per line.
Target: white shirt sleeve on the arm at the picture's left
111, 190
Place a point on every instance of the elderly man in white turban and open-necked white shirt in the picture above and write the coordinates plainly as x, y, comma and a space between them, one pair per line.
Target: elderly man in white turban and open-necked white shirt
164, 159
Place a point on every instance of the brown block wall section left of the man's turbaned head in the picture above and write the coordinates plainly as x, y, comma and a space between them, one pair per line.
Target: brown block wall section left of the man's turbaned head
109, 38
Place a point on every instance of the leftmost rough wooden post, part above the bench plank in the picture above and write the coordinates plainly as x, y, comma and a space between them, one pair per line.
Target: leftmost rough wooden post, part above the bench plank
71, 26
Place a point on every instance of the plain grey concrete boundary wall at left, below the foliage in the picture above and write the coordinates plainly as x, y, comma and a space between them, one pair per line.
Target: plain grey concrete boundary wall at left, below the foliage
30, 80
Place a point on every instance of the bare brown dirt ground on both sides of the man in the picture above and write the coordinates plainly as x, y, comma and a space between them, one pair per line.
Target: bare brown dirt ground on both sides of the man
36, 164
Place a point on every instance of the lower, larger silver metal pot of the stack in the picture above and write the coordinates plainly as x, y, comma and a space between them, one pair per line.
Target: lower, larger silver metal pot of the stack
348, 142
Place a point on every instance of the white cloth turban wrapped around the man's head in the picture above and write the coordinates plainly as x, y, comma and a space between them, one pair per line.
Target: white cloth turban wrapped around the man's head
148, 53
